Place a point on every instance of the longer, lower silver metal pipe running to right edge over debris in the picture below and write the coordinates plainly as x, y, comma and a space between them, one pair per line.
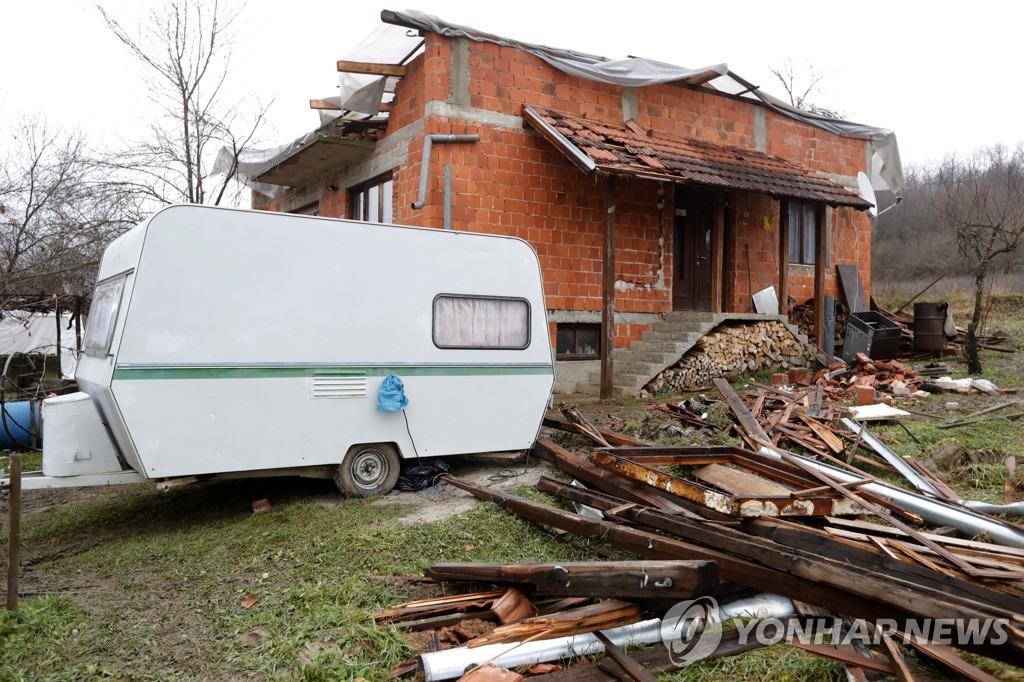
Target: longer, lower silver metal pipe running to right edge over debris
933, 511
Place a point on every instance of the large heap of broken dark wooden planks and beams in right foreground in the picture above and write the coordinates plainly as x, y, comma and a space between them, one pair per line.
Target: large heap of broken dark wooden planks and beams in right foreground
723, 522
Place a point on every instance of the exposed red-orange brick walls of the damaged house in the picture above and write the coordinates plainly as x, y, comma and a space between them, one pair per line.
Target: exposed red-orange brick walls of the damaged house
514, 183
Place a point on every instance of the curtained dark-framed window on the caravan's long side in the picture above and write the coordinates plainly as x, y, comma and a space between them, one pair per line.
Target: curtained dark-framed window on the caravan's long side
481, 322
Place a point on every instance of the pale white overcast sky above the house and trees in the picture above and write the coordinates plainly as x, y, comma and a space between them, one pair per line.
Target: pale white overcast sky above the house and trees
940, 74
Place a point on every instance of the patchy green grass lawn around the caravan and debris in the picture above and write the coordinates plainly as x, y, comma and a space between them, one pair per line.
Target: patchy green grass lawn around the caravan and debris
137, 584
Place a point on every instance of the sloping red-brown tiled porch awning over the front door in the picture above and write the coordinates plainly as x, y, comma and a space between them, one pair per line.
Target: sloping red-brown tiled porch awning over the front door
630, 150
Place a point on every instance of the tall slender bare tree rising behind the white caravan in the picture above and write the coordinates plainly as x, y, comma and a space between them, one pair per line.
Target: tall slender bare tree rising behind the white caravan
186, 47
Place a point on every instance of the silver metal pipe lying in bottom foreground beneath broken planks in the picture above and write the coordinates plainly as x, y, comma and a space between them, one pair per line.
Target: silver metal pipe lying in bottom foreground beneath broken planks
454, 663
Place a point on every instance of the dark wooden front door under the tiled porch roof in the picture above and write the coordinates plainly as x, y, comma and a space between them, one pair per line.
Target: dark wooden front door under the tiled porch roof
692, 284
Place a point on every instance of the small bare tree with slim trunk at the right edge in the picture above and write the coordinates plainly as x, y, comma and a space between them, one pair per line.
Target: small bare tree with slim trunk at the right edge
983, 201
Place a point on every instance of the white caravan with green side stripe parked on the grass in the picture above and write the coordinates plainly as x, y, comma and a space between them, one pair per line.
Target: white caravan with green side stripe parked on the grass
226, 343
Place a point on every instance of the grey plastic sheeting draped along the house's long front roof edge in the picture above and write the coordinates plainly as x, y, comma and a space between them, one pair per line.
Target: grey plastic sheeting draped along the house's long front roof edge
638, 72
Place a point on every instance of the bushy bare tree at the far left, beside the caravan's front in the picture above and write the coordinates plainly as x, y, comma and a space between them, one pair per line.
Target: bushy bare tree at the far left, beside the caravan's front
59, 209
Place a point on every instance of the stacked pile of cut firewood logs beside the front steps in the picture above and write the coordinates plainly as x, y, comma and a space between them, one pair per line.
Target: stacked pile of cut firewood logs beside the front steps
733, 350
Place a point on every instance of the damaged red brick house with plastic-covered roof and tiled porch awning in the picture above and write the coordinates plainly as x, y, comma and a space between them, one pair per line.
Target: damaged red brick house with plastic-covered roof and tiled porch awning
647, 190
